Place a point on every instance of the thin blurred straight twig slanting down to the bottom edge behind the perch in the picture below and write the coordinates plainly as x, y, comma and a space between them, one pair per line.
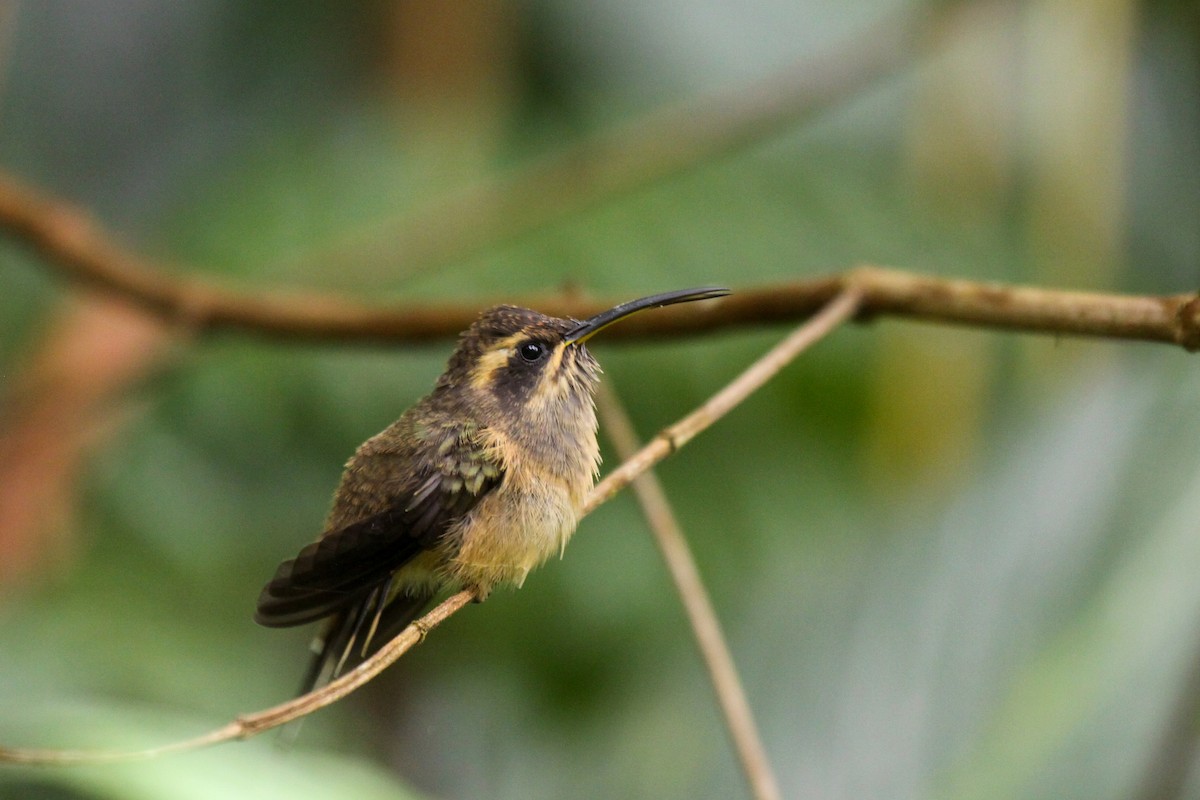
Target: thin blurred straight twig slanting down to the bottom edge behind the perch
706, 628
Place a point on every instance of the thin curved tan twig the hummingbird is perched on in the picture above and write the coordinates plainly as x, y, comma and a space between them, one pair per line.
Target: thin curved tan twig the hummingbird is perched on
667, 442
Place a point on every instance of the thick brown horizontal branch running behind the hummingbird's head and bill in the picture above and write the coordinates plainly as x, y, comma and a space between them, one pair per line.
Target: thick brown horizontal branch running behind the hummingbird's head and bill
81, 251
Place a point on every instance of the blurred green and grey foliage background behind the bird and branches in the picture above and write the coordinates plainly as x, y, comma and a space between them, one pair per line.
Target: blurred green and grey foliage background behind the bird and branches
952, 563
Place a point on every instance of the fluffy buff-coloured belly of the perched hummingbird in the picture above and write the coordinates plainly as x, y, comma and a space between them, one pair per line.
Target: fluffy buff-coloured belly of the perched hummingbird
512, 532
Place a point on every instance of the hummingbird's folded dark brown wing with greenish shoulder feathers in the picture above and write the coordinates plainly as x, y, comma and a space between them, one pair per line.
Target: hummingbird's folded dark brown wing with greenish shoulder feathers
347, 564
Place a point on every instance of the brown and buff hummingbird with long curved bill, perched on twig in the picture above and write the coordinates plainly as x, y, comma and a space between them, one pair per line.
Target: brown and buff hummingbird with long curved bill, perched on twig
471, 489
